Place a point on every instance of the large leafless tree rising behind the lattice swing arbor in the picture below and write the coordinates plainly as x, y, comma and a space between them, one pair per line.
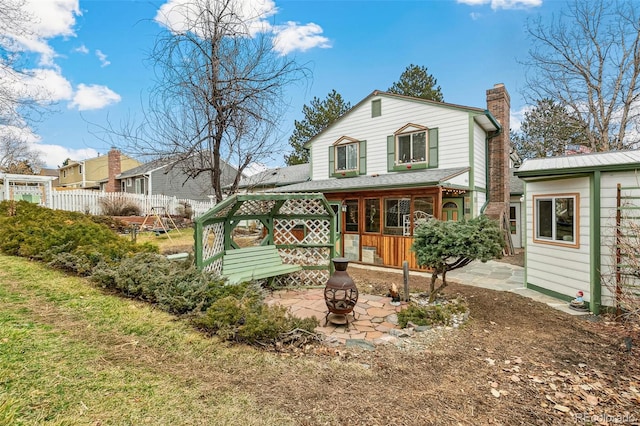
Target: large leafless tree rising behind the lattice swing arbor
219, 93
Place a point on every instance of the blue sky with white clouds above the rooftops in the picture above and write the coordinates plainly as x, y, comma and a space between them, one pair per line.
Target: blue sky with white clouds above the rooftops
92, 55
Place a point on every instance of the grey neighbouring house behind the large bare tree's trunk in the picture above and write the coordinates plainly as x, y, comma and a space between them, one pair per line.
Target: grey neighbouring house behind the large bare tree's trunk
166, 178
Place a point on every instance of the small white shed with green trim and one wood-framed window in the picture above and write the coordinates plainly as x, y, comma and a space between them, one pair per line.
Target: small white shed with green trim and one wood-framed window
571, 208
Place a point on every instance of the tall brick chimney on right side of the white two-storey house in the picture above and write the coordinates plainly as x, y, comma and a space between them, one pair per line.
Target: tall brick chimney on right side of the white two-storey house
498, 104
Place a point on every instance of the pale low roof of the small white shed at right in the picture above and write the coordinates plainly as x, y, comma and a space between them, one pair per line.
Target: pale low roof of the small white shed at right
580, 163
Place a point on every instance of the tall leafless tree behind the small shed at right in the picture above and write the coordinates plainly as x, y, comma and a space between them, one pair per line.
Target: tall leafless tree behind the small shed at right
588, 60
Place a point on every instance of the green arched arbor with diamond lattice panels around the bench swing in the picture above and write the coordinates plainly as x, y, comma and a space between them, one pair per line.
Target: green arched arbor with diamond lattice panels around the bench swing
301, 225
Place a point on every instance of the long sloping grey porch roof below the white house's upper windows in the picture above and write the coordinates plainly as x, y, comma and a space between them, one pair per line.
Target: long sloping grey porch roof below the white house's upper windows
418, 178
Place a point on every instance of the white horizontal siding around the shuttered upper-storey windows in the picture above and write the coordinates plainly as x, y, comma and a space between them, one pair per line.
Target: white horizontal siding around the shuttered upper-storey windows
453, 127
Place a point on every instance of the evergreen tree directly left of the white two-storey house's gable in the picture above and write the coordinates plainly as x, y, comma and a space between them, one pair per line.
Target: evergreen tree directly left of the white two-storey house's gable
317, 116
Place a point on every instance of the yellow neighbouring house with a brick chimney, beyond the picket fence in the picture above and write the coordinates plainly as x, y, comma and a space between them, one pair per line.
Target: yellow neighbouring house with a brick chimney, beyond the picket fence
88, 174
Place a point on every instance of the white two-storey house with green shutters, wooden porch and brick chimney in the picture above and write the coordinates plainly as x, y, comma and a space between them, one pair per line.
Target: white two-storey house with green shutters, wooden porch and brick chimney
393, 161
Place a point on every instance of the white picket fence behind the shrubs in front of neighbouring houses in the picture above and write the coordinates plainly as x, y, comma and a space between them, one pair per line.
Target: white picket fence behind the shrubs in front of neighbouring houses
86, 201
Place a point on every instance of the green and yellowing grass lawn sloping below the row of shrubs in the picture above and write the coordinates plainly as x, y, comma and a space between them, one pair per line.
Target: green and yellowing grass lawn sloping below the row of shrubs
70, 354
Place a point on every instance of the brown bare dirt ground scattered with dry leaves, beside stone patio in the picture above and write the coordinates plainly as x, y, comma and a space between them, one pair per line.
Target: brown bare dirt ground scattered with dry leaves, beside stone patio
516, 362
